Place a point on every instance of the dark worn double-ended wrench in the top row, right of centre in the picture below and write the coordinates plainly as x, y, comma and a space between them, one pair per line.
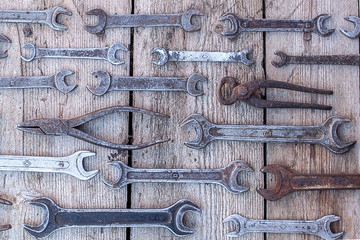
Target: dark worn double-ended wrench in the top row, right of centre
239, 25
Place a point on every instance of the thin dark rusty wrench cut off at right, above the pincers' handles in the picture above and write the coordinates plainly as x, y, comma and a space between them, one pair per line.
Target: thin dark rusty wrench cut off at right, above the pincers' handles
316, 59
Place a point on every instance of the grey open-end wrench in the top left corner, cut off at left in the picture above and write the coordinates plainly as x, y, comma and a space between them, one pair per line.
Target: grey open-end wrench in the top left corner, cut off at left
48, 17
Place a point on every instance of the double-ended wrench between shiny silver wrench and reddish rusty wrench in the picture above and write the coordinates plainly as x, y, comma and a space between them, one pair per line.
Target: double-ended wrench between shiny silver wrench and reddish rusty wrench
227, 177
